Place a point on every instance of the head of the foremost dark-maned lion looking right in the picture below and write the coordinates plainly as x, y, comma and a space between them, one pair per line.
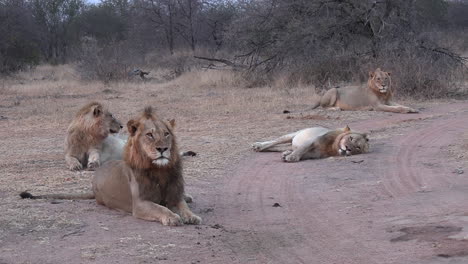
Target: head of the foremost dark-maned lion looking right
152, 143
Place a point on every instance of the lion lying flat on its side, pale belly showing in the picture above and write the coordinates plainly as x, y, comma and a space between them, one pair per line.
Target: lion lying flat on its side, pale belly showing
318, 142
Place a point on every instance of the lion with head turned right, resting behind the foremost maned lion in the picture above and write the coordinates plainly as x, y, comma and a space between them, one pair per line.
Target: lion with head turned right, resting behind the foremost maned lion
86, 134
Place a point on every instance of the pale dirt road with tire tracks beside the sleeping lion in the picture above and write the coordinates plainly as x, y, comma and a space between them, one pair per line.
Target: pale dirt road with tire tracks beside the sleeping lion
398, 204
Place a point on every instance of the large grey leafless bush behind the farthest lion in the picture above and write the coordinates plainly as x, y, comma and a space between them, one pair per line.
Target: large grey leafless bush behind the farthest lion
325, 43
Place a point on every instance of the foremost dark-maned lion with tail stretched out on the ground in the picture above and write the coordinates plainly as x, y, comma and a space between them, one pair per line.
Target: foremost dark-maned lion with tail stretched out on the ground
148, 182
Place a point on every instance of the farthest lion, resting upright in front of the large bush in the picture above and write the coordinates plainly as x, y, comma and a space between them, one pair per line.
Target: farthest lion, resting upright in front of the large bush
376, 96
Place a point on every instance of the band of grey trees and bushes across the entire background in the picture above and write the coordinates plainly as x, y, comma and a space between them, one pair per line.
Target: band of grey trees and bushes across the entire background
265, 42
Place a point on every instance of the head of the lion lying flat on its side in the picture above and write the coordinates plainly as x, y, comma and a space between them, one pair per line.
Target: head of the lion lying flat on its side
352, 143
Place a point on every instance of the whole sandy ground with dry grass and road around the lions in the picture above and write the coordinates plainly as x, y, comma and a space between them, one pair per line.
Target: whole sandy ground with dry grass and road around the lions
401, 203
